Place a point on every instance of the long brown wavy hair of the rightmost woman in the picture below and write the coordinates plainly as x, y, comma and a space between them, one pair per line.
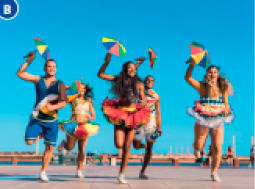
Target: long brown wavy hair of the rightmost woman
222, 82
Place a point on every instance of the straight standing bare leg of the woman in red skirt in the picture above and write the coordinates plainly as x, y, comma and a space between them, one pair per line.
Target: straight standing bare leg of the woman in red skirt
129, 136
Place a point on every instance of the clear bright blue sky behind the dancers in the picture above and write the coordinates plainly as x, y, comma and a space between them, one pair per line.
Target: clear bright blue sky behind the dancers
74, 30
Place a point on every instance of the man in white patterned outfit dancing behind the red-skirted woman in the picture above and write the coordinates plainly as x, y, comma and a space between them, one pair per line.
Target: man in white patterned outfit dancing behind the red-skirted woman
152, 130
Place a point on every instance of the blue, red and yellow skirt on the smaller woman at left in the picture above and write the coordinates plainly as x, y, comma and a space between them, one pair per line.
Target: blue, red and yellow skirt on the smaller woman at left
78, 130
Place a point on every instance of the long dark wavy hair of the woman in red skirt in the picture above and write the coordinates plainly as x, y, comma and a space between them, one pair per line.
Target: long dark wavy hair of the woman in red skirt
124, 86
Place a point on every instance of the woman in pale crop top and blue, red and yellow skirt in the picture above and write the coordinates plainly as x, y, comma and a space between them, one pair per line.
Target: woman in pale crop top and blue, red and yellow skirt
79, 127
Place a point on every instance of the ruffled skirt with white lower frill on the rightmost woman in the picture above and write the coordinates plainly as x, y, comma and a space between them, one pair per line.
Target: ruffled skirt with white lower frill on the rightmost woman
210, 116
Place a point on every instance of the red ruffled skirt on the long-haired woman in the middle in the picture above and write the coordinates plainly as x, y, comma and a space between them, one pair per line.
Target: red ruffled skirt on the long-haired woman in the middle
124, 116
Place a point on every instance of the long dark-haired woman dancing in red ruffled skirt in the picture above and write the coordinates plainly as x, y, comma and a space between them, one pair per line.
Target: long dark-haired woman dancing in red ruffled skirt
124, 111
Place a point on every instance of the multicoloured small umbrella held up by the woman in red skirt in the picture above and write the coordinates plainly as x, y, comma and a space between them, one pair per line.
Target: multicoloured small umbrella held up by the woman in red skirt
113, 46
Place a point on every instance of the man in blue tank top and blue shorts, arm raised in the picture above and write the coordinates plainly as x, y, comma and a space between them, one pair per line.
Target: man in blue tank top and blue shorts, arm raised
50, 97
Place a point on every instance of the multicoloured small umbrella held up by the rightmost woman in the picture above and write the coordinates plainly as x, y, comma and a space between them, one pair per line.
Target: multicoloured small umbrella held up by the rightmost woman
199, 54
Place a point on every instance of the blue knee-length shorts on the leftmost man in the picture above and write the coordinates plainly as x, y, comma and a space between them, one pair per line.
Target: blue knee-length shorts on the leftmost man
49, 129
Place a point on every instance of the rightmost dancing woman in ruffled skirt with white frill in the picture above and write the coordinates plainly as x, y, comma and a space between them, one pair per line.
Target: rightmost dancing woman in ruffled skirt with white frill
211, 112
